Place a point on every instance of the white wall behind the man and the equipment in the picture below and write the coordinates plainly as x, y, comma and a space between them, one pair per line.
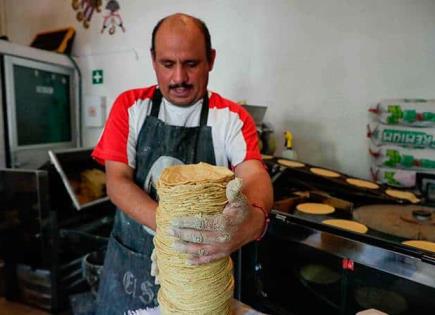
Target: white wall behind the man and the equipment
317, 64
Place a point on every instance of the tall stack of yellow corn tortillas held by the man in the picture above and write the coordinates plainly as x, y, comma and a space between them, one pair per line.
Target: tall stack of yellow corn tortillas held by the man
191, 190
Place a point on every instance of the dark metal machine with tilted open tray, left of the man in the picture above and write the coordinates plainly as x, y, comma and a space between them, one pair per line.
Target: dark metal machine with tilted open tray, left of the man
43, 235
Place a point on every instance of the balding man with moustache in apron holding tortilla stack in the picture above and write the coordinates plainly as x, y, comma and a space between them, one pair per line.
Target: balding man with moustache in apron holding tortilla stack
177, 122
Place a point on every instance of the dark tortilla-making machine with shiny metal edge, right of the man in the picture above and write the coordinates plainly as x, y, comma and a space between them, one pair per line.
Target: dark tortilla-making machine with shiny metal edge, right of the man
304, 266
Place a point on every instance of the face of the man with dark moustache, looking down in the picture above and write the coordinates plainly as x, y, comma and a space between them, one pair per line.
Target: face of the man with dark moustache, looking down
181, 64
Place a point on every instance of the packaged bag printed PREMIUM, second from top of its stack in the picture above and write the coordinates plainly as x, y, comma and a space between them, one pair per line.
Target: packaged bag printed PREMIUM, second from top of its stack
411, 137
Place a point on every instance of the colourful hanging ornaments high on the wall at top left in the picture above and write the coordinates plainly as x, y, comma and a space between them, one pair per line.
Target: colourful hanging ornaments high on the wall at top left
112, 19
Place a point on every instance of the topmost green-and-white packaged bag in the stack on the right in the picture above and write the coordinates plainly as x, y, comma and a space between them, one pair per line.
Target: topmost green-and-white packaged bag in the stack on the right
410, 112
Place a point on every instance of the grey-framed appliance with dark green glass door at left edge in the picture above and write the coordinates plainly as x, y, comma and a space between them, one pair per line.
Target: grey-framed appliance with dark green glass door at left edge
39, 105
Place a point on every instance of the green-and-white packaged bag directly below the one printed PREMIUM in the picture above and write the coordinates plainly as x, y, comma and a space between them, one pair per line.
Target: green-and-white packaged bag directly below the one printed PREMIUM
402, 157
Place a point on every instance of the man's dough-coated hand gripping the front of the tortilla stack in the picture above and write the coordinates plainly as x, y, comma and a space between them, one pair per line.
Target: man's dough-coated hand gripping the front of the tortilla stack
209, 238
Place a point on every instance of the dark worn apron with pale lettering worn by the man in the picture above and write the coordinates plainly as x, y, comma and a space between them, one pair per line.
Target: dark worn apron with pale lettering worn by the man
126, 283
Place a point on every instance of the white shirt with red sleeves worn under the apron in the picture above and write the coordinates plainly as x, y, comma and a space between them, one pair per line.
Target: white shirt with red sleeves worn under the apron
233, 130
